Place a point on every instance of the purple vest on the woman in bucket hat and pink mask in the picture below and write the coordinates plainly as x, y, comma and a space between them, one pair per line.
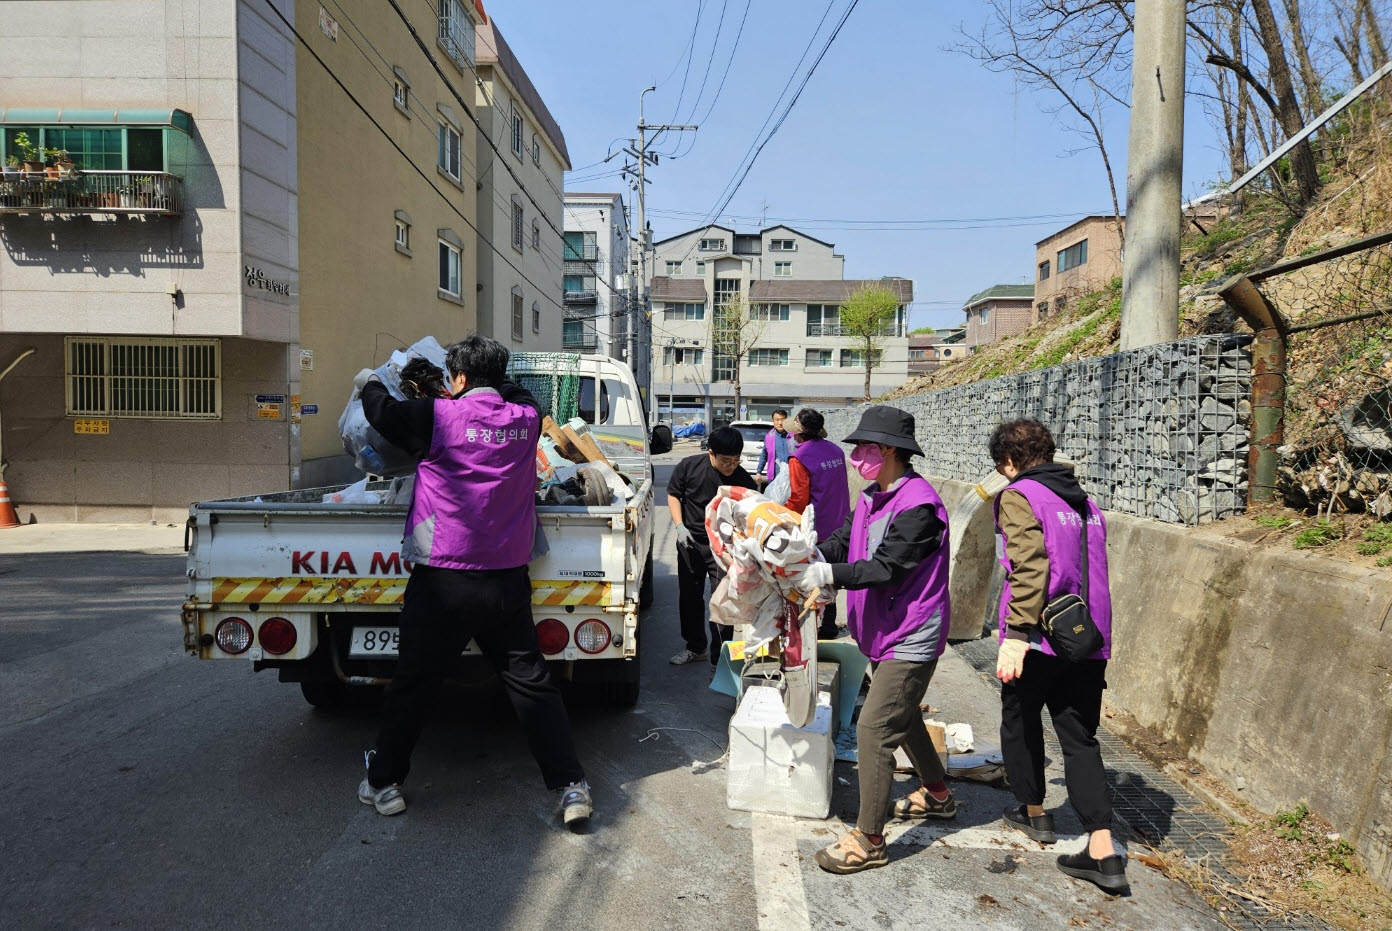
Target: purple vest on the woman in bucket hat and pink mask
908, 621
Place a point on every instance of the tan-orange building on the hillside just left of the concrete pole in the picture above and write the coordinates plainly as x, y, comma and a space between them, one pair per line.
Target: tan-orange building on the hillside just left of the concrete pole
1078, 260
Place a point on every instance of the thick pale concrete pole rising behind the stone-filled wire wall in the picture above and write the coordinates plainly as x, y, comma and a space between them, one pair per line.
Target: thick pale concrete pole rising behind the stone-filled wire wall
1155, 172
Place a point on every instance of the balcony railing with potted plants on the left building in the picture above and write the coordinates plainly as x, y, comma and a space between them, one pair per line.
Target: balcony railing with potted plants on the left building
154, 193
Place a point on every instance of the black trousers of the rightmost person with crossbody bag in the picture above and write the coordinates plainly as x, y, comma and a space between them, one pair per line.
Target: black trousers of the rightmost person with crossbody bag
1073, 692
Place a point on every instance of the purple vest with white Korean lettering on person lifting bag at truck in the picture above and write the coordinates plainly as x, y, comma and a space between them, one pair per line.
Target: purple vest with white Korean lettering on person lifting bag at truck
474, 504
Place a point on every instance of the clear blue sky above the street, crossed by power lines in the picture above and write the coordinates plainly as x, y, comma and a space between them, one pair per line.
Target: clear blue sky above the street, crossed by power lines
892, 127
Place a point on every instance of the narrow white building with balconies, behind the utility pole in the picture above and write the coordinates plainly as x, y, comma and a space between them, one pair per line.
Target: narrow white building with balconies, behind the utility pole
596, 297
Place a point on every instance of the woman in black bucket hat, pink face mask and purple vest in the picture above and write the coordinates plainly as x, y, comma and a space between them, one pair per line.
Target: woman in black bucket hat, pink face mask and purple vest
892, 556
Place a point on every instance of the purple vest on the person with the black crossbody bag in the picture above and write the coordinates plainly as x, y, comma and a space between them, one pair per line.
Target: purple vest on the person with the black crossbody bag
1063, 543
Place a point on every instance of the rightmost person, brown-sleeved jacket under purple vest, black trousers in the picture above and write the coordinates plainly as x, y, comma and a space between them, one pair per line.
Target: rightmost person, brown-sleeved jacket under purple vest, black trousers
1041, 520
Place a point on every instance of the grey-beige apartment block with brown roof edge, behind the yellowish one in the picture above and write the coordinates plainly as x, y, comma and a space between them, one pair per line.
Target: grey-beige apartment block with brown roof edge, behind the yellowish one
521, 168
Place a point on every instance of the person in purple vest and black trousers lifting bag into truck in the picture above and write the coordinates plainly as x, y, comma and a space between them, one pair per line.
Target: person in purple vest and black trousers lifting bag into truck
470, 536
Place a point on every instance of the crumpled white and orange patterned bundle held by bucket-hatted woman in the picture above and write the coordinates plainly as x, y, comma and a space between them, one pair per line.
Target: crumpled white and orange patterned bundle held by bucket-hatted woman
766, 550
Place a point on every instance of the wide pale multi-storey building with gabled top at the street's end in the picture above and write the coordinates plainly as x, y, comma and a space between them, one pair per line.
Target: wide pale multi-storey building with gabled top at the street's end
794, 287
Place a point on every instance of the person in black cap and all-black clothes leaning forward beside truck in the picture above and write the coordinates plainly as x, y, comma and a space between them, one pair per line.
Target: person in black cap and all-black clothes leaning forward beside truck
690, 491
